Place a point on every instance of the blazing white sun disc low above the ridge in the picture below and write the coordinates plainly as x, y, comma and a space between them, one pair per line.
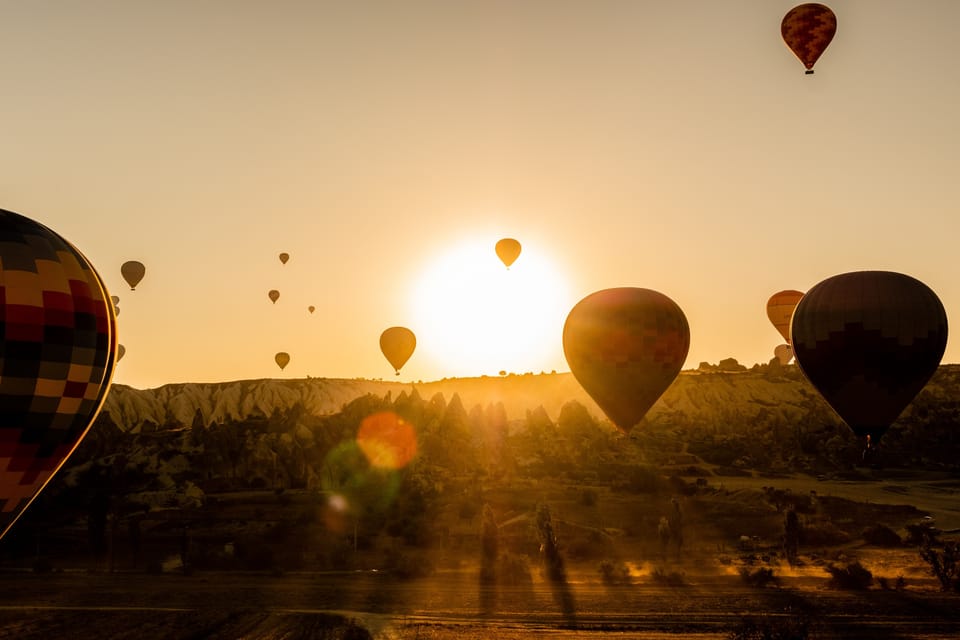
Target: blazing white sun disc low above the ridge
476, 317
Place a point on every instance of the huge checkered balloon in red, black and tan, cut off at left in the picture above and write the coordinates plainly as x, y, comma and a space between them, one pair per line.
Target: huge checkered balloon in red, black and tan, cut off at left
57, 356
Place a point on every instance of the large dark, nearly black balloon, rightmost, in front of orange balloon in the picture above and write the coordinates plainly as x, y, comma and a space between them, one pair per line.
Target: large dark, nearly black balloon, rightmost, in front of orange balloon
869, 341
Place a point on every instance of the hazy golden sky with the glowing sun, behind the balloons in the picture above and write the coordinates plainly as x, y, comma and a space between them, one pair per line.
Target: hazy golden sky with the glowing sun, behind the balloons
676, 146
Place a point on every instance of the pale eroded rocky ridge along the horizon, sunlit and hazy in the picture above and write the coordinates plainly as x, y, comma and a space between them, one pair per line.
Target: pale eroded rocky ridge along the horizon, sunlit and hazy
695, 397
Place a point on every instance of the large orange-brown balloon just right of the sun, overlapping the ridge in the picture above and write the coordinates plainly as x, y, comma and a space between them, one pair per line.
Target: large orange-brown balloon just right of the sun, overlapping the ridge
625, 346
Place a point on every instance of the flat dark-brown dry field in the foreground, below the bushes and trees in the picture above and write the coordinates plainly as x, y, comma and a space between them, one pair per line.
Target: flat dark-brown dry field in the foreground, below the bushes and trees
89, 605
